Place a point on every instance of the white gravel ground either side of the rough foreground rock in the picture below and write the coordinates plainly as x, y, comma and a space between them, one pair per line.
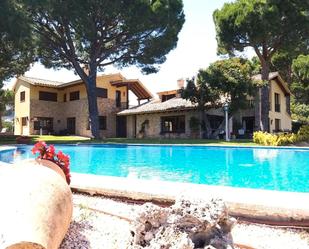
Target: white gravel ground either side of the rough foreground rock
100, 222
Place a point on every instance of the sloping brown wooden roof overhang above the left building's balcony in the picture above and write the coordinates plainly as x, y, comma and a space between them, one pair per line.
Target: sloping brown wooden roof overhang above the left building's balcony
135, 86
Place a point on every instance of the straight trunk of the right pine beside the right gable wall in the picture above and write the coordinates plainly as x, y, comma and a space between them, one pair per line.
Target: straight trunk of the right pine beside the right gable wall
265, 97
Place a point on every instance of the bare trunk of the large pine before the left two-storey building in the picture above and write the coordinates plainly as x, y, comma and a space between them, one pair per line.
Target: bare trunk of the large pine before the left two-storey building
92, 104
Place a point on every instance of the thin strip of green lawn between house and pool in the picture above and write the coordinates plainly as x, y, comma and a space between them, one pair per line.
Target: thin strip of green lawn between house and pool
78, 139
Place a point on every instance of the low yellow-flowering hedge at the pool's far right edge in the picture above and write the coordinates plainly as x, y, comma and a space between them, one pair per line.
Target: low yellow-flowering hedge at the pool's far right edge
265, 138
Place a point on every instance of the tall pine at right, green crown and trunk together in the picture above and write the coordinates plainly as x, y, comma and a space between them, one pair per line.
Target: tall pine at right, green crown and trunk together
266, 26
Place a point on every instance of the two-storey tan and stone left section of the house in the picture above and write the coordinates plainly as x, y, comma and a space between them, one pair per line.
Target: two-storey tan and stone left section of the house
51, 107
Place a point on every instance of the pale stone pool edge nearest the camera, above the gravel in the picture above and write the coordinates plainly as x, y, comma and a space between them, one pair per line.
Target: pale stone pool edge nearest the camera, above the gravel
269, 207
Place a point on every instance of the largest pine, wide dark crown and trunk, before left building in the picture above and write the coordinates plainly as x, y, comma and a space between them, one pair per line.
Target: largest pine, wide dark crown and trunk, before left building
74, 33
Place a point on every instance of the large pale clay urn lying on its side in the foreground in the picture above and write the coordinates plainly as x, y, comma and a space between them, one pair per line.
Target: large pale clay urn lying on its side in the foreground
36, 205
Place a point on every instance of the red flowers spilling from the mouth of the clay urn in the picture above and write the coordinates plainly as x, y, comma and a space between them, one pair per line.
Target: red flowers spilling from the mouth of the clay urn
49, 153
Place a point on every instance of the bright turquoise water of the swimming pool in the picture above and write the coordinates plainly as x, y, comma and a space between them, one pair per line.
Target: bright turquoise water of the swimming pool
262, 168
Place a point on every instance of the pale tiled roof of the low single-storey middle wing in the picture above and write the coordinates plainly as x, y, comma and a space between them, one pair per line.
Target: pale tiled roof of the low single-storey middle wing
158, 106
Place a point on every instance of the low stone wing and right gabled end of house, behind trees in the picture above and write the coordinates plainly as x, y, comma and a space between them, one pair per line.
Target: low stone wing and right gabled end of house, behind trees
171, 116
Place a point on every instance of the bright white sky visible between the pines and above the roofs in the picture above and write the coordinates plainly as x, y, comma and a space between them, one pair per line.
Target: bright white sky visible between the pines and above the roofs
196, 49
